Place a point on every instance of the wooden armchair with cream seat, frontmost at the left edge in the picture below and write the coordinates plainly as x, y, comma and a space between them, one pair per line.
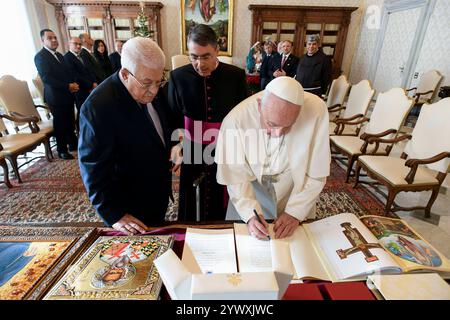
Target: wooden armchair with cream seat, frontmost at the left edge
13, 145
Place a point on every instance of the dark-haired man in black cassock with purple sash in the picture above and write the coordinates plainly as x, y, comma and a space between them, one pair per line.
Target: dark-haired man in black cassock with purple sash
201, 94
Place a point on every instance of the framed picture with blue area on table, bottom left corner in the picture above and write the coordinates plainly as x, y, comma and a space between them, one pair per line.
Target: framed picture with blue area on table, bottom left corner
31, 258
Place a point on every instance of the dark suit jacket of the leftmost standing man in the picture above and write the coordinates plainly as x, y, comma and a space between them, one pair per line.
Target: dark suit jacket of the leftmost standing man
56, 77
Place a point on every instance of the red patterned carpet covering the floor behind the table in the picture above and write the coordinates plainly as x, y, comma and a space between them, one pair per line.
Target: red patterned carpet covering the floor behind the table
53, 193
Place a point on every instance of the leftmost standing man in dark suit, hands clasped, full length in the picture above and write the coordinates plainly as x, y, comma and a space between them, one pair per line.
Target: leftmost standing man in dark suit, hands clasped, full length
59, 89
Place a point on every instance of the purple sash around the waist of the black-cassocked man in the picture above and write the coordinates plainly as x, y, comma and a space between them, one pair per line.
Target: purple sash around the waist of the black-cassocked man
195, 130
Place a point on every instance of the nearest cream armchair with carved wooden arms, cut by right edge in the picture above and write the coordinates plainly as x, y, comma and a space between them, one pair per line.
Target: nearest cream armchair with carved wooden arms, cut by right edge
429, 146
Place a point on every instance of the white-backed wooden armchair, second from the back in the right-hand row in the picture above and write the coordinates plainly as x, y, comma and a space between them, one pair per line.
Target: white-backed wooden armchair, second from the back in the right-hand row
356, 108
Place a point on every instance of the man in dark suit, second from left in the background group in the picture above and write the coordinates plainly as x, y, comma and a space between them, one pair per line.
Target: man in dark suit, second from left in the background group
83, 76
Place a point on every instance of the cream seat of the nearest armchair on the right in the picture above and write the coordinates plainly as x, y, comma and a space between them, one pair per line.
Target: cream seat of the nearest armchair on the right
394, 170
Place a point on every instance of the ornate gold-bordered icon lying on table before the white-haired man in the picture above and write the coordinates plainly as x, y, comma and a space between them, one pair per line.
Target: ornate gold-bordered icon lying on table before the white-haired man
115, 268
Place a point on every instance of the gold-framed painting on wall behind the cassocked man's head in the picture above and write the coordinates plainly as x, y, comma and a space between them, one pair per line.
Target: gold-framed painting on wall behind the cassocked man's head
218, 14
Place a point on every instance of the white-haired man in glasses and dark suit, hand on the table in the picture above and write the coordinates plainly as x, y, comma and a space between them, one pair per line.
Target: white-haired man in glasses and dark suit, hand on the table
124, 144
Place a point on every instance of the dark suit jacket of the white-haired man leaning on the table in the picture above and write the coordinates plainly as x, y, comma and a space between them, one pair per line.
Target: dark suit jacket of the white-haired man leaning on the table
123, 162
